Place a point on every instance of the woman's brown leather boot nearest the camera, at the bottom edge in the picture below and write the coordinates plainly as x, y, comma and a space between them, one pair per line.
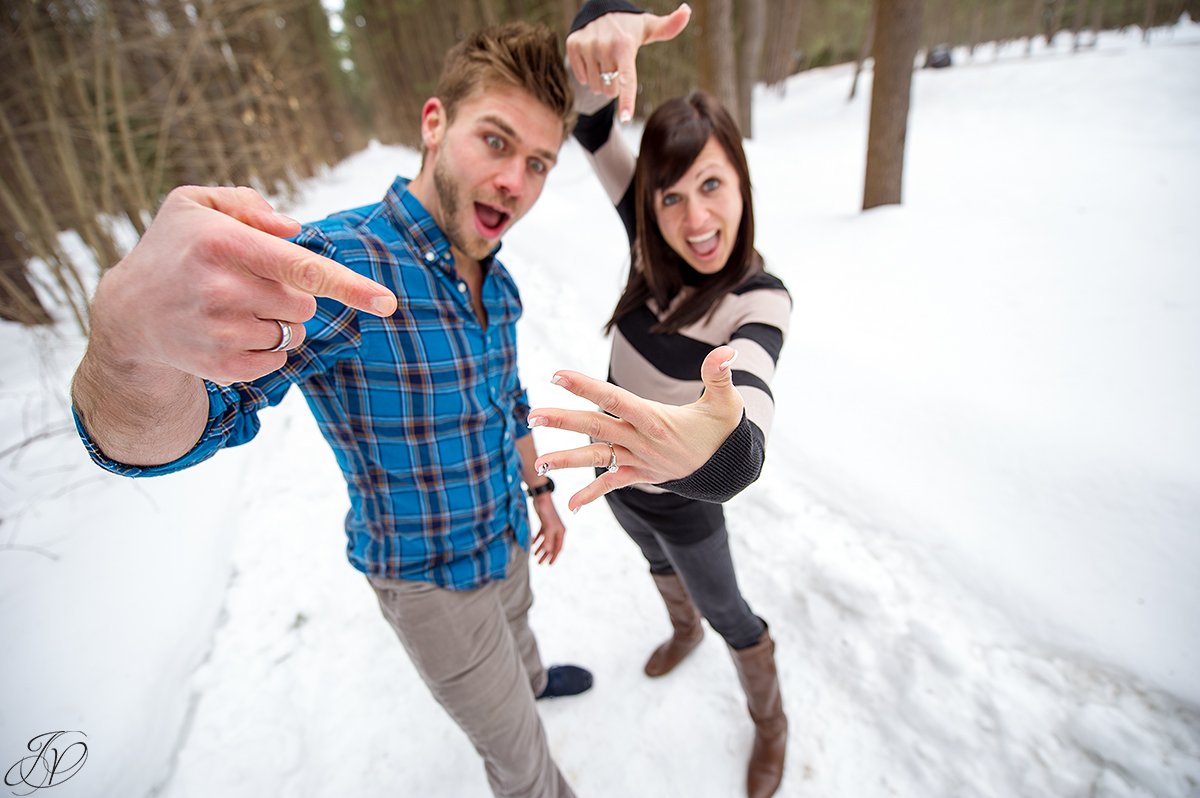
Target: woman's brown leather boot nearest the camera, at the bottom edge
757, 671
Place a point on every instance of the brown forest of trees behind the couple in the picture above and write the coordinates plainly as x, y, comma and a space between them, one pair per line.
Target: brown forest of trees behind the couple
107, 106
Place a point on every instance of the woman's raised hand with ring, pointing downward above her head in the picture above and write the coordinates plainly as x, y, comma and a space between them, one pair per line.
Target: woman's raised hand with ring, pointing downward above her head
609, 45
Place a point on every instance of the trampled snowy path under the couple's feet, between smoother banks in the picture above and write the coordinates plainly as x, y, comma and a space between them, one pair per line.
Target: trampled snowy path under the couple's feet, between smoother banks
898, 681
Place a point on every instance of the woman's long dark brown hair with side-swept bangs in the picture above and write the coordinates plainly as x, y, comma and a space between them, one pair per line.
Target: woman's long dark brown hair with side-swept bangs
675, 135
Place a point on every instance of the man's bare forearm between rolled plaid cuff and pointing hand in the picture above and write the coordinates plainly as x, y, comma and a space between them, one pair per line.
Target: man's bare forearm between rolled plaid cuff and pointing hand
137, 415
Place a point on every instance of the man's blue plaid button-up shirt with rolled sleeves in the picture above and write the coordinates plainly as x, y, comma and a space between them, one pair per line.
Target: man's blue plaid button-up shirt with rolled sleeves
423, 410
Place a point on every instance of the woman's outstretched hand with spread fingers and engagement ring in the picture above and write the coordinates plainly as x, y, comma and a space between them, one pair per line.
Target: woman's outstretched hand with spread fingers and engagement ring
650, 442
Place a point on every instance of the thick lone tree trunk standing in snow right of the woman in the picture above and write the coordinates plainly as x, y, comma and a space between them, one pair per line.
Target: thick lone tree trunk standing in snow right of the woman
897, 34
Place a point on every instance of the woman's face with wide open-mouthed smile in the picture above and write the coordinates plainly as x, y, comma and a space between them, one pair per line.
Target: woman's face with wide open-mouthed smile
700, 215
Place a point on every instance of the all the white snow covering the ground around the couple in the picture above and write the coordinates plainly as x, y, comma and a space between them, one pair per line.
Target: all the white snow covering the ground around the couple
977, 538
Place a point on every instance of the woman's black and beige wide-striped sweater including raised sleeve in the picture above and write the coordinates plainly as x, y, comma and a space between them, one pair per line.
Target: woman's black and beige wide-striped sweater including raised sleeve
665, 368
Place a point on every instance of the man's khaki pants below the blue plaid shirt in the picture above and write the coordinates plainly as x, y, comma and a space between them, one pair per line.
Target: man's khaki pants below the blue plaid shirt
476, 651
